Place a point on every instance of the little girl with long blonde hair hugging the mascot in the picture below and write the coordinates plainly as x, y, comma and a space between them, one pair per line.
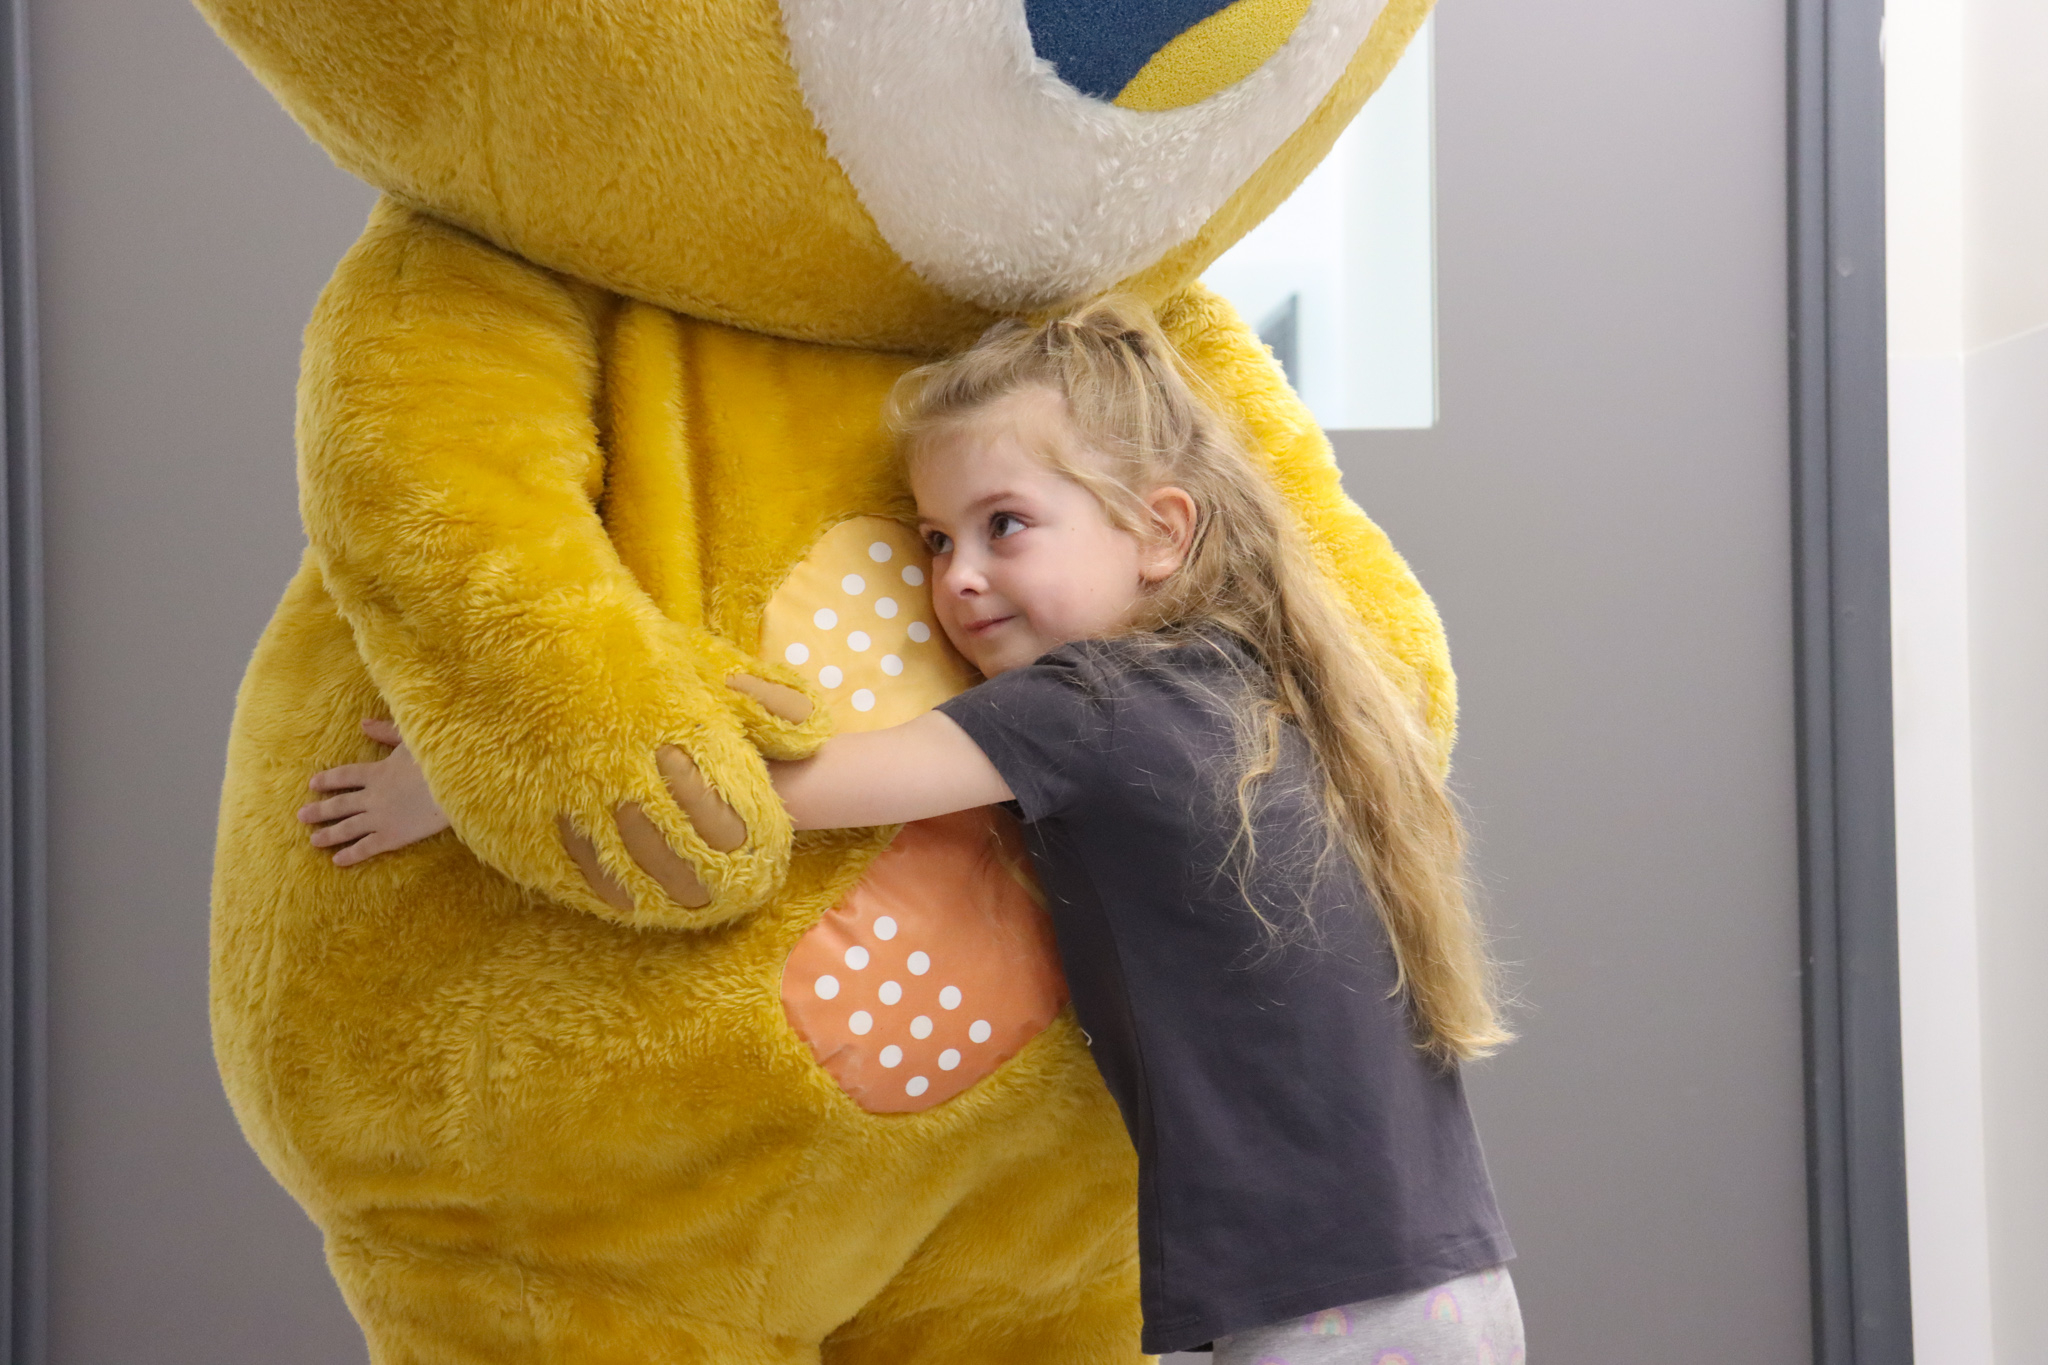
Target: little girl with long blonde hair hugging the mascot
1242, 830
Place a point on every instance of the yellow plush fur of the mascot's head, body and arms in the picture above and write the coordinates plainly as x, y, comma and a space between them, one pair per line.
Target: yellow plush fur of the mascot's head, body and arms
599, 373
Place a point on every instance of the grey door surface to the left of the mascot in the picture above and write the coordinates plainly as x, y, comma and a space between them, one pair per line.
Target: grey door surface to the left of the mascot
185, 228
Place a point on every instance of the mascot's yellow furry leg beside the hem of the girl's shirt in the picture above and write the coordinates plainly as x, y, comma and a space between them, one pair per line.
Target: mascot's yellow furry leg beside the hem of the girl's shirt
1037, 1268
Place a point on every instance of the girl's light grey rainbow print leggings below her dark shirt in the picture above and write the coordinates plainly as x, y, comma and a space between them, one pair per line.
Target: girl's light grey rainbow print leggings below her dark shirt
1471, 1321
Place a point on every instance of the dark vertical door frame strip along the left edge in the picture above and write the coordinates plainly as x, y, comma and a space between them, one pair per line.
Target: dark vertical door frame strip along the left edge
22, 635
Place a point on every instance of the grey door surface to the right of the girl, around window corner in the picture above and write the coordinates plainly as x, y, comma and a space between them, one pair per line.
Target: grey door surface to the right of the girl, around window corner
1603, 519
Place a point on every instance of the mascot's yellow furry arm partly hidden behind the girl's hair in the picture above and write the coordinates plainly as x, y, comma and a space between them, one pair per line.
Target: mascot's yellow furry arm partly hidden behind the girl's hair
1365, 564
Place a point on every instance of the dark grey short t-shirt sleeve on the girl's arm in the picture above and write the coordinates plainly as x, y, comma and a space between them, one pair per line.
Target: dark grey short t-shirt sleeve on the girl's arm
1043, 725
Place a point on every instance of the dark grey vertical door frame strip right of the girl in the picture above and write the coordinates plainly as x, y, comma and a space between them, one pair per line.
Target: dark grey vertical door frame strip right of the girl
1854, 1094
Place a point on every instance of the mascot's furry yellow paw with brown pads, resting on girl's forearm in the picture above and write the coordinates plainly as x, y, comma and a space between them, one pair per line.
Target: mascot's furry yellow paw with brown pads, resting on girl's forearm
716, 838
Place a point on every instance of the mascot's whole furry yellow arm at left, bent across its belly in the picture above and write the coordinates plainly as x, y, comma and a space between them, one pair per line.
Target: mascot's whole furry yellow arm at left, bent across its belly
452, 470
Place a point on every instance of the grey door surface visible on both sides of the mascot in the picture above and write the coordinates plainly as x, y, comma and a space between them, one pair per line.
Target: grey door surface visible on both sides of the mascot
1603, 519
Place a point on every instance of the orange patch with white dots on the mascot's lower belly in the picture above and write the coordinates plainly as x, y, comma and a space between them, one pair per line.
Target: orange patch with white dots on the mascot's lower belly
935, 969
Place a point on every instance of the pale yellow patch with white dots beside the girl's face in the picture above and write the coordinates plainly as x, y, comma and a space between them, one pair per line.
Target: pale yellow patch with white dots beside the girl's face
857, 621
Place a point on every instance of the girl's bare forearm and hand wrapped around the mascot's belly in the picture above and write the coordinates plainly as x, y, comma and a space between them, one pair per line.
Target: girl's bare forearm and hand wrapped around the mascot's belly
908, 773
